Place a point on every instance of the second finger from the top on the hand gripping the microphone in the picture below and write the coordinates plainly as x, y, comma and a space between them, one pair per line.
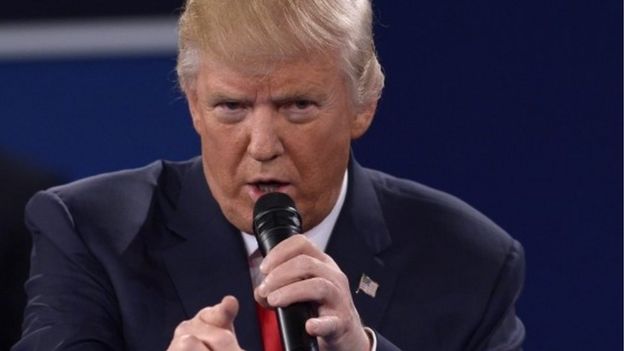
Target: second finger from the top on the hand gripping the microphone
298, 268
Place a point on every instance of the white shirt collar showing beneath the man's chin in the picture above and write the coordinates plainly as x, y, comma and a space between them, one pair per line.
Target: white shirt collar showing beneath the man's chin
319, 235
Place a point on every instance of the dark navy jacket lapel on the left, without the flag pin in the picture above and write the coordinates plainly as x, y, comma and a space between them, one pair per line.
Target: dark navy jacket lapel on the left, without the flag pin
208, 259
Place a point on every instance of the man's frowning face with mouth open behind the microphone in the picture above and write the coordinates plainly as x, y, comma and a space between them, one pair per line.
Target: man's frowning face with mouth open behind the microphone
288, 130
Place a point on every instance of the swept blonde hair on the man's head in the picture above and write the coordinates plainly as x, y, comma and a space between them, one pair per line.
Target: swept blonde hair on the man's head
257, 32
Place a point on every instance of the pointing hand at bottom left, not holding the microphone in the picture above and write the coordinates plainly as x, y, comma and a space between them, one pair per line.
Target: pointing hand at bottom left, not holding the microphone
212, 328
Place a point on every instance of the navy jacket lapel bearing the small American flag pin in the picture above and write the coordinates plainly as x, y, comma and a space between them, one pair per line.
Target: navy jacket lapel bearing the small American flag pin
357, 243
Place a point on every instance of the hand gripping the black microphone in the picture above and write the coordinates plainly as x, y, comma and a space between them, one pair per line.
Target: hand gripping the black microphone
297, 271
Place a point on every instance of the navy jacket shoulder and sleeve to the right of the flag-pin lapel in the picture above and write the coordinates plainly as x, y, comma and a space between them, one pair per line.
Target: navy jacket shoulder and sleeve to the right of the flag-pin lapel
458, 272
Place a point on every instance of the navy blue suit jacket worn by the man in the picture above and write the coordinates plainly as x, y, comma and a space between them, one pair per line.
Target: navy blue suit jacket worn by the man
120, 259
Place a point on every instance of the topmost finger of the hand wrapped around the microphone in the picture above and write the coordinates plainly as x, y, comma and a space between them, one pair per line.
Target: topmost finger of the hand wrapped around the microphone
289, 248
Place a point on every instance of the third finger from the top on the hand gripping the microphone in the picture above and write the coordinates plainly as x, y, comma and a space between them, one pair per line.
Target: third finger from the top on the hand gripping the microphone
319, 290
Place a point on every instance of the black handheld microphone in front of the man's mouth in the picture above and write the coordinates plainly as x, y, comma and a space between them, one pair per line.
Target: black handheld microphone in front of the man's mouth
275, 218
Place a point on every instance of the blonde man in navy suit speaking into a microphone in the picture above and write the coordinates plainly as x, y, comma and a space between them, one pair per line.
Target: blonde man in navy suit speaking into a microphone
161, 256
